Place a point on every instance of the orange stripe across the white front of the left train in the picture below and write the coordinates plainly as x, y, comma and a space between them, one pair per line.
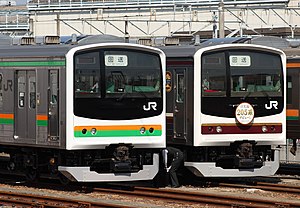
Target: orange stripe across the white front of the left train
132, 127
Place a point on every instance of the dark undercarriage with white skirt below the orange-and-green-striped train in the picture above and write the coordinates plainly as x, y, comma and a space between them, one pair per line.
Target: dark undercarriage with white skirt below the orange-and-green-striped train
34, 163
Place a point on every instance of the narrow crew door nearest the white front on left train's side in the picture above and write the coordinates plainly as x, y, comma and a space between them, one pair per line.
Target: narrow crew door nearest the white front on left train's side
53, 127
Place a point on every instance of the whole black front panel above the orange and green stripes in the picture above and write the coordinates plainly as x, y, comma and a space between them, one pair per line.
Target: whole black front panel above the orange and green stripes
117, 83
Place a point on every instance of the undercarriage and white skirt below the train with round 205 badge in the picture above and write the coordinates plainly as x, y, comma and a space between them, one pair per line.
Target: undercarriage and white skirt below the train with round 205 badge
241, 158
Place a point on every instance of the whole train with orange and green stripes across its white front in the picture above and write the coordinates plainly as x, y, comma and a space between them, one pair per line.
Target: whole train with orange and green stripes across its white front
82, 112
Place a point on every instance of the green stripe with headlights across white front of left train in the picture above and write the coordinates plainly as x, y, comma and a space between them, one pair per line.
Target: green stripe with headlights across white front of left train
115, 133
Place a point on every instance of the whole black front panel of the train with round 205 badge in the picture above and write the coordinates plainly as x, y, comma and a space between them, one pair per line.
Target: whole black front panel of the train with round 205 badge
234, 76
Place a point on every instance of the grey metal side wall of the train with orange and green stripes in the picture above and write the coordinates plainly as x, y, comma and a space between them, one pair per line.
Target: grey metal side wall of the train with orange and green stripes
27, 85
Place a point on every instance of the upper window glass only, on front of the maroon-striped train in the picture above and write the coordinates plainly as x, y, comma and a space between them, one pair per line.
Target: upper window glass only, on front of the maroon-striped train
241, 74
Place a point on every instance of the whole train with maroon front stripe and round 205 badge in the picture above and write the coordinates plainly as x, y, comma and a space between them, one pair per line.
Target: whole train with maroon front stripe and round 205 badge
226, 107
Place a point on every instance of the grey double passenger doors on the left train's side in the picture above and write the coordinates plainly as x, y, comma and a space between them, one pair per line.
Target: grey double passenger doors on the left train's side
25, 117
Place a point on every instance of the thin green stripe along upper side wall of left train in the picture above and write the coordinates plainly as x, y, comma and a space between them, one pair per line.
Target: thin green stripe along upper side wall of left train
32, 63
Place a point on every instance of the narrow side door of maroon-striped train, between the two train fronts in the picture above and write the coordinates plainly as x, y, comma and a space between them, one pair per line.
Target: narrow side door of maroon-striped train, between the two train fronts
180, 105
